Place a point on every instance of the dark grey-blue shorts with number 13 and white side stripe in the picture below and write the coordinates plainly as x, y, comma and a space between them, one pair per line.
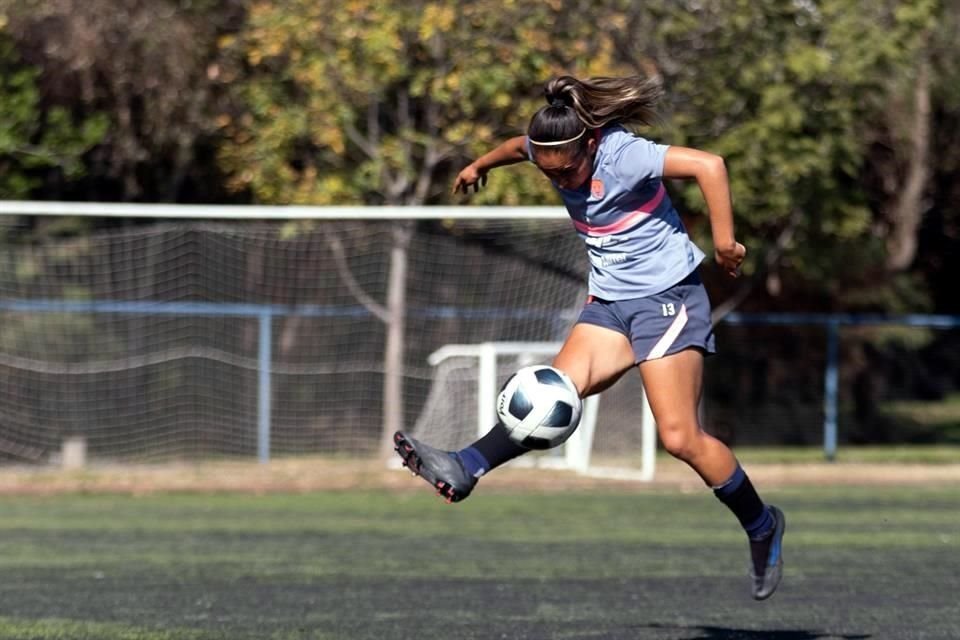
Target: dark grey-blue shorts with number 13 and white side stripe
661, 324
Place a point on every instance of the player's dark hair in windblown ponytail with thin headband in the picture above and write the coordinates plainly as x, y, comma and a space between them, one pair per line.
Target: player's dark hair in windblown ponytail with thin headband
573, 106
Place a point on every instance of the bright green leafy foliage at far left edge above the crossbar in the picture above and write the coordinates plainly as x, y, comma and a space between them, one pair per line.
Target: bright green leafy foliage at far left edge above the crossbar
33, 136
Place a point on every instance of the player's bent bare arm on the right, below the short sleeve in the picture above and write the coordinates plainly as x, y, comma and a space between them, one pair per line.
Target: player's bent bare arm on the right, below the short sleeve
710, 172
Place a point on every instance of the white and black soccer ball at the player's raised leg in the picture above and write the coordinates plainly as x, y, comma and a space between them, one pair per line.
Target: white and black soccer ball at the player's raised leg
539, 406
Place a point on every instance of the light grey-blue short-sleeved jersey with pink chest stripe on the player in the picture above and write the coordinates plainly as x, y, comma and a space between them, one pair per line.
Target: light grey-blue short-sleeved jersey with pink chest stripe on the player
635, 240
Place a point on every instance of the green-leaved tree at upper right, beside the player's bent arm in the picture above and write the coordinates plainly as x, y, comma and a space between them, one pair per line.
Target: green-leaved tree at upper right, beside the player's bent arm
794, 96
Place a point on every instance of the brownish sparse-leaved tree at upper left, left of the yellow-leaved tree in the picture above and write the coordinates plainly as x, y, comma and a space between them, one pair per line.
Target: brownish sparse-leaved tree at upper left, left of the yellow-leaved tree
149, 67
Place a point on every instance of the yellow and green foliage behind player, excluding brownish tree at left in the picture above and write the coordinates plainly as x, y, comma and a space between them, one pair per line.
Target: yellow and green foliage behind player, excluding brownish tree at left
374, 102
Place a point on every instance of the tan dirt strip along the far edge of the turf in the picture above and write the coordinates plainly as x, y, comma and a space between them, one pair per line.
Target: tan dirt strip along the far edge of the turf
322, 474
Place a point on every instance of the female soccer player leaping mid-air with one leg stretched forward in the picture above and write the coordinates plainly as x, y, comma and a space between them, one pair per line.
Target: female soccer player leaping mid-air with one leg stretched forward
646, 307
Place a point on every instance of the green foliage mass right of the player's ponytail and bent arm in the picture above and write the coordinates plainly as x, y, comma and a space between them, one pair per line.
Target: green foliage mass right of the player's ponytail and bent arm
789, 94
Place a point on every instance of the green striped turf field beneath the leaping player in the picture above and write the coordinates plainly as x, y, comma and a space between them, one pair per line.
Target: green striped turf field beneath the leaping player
385, 565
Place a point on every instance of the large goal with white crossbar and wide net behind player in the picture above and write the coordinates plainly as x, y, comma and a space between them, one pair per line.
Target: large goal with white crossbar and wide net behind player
257, 331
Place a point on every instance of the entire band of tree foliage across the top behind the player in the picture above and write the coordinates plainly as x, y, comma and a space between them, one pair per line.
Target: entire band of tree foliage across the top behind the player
366, 102
